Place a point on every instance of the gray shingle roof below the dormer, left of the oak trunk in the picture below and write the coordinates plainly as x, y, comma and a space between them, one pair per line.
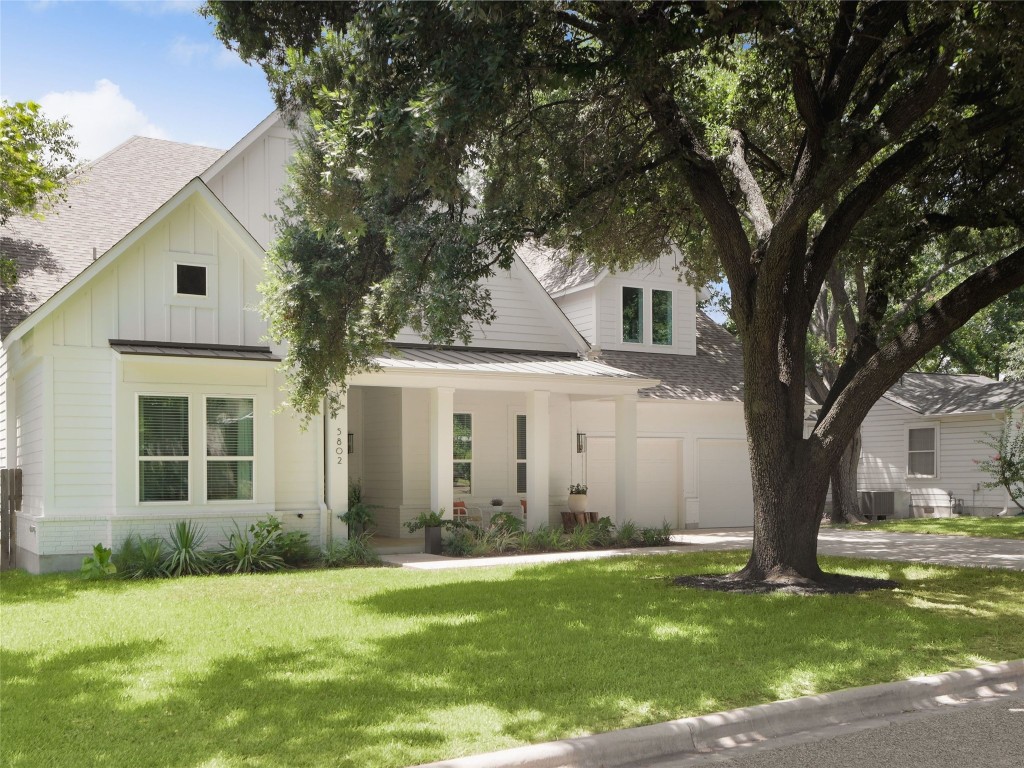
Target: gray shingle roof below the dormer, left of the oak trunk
715, 373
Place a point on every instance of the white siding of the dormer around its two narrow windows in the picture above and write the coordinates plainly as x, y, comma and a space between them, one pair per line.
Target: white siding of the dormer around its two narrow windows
659, 276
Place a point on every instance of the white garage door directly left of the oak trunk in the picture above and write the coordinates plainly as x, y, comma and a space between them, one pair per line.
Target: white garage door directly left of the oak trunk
724, 485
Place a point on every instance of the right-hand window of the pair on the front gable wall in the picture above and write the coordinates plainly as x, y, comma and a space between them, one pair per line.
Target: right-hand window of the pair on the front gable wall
230, 449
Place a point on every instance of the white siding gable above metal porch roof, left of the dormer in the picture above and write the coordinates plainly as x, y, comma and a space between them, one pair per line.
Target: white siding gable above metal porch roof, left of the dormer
527, 318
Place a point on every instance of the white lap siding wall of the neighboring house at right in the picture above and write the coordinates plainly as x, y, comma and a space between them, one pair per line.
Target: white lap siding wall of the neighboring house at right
884, 457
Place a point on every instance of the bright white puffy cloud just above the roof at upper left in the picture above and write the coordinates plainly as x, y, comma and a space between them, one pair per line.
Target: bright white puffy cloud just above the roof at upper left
101, 119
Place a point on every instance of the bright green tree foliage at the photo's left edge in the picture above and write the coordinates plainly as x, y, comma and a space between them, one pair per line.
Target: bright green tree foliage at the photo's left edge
37, 156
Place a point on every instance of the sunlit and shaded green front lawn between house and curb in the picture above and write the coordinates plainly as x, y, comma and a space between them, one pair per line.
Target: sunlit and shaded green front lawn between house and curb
392, 667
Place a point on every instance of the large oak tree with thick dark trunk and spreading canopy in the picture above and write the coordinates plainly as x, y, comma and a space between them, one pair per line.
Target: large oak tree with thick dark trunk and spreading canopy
769, 141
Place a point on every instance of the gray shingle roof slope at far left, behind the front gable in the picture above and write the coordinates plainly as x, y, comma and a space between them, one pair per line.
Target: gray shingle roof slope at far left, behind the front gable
108, 199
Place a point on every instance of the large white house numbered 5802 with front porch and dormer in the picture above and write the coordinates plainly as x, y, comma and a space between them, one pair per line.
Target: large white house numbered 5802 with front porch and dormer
138, 389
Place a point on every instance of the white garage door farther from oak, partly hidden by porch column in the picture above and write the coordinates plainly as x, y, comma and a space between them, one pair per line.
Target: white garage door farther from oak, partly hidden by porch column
659, 480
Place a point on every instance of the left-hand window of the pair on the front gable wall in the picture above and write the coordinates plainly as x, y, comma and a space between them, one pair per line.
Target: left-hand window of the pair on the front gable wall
163, 449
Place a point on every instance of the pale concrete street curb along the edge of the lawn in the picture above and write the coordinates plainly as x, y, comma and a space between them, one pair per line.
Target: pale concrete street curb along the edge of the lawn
696, 736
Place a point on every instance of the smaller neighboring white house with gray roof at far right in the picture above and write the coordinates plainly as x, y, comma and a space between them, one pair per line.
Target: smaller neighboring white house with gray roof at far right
924, 439
